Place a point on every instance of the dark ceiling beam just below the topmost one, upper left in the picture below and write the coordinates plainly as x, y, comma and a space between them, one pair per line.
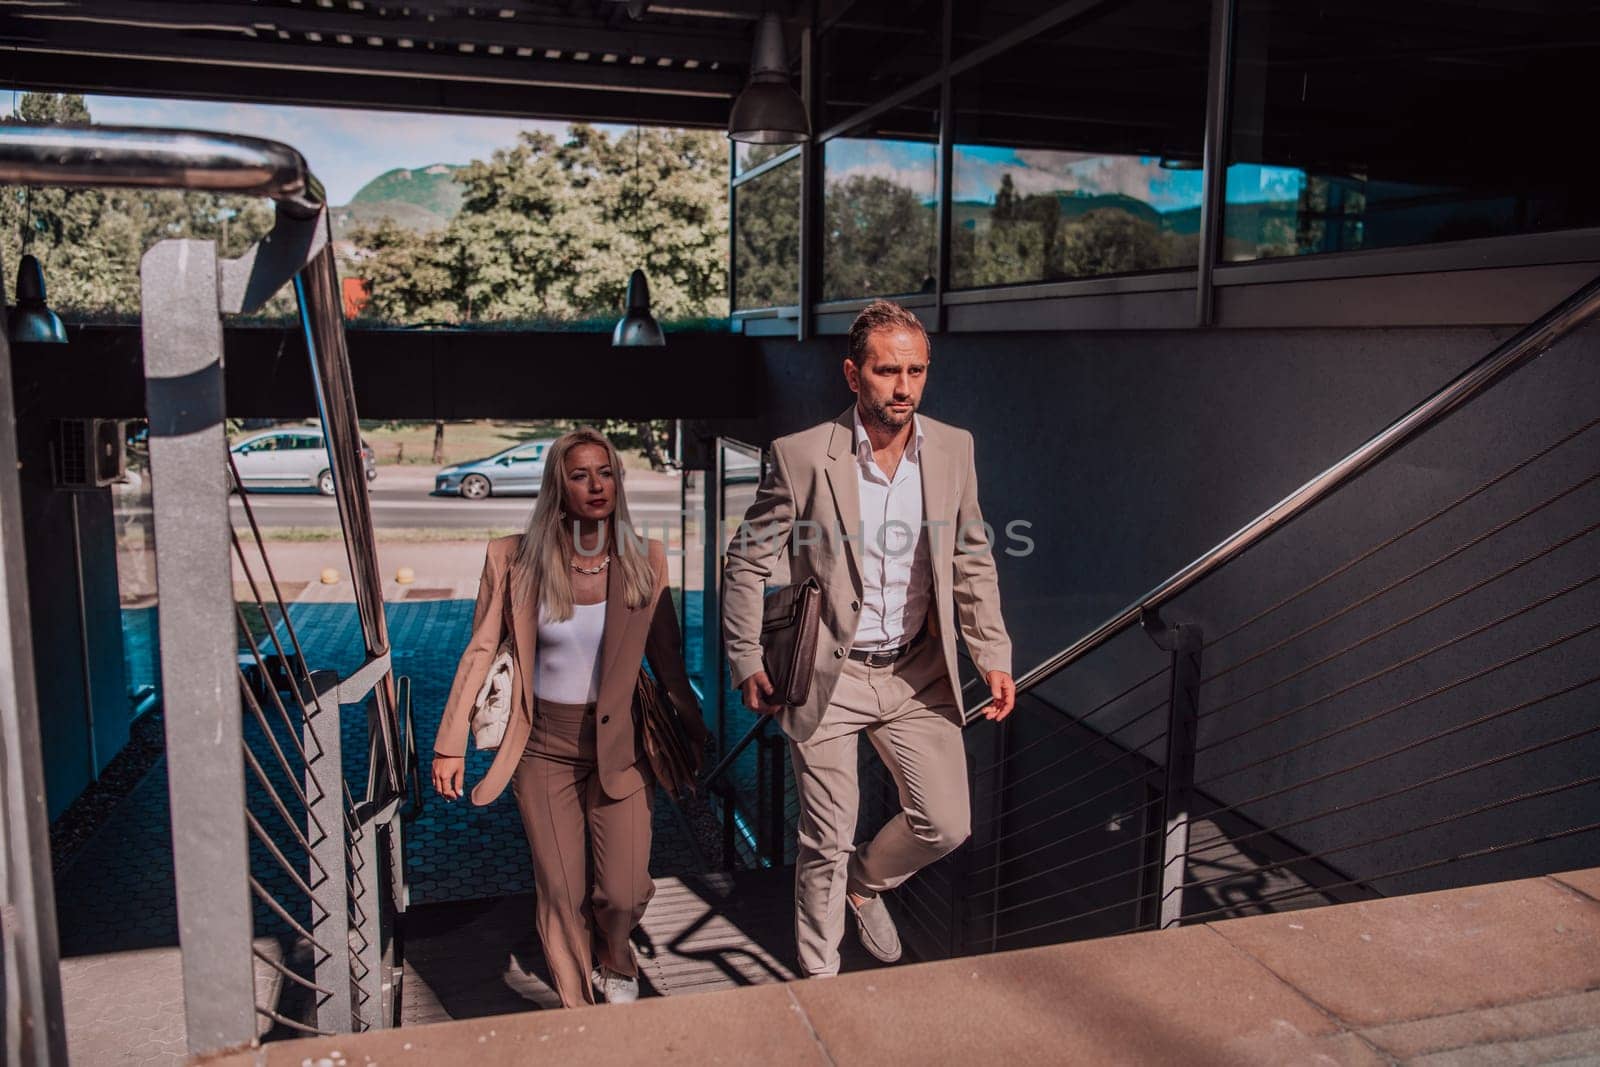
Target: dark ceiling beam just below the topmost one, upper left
417, 63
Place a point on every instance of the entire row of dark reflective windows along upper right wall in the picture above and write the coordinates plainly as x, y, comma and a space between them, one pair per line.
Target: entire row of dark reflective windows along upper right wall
1076, 151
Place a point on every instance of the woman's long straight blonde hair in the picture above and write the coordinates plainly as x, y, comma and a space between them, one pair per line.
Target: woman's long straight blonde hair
548, 543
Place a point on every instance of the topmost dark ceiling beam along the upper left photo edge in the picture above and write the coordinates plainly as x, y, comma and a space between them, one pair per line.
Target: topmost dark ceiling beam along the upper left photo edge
262, 22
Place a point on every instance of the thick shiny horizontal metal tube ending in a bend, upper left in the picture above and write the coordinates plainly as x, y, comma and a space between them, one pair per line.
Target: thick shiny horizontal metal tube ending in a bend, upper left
159, 159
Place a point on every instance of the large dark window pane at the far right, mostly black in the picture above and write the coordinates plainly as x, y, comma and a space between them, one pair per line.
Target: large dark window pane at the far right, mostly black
1377, 127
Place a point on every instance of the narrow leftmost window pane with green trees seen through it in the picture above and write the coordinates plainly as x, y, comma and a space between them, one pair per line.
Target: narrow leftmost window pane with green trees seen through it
767, 239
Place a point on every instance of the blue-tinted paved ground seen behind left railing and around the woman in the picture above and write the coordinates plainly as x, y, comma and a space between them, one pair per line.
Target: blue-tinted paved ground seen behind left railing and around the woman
118, 892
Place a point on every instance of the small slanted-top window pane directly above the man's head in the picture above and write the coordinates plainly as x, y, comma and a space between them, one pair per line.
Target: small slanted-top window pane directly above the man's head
881, 206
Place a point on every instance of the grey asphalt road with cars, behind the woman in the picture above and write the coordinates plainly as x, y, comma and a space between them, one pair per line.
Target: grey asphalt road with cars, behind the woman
406, 503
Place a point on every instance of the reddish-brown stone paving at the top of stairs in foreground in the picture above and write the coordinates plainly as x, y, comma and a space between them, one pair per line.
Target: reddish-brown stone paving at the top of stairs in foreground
1505, 973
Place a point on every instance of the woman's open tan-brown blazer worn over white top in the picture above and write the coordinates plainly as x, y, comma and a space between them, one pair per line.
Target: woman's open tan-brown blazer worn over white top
630, 637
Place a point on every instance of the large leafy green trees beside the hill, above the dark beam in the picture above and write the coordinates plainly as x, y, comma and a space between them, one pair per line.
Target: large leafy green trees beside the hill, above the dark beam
553, 230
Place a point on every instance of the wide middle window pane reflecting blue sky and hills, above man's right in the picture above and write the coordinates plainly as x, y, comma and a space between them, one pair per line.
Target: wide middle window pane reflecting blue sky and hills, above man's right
1078, 153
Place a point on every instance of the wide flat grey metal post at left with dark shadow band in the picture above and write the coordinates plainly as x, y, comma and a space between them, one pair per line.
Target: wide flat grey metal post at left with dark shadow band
183, 367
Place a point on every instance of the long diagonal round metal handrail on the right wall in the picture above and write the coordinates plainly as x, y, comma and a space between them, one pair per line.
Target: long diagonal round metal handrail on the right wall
1527, 345
